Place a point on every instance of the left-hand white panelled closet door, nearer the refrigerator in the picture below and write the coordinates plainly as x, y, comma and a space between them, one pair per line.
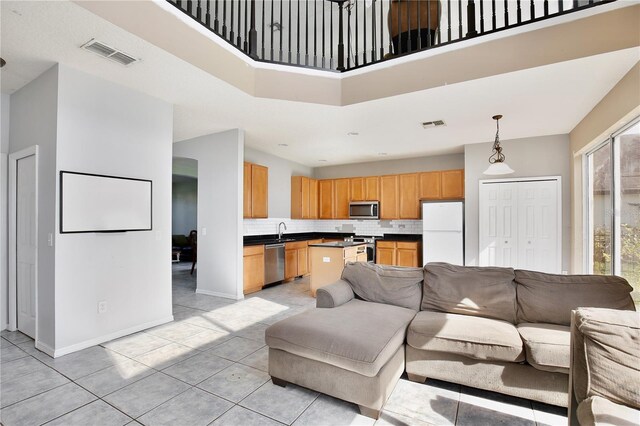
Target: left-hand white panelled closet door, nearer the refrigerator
498, 224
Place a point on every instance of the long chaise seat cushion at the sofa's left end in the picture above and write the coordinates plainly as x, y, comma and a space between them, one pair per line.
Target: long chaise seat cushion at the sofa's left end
358, 336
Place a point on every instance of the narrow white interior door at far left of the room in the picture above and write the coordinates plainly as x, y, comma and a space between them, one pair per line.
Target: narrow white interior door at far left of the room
26, 245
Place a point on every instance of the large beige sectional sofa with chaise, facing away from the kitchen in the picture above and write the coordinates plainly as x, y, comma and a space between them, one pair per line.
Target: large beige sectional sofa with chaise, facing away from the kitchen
491, 328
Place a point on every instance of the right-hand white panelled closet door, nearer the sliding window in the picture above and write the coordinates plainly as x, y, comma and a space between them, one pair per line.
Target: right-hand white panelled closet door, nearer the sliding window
538, 232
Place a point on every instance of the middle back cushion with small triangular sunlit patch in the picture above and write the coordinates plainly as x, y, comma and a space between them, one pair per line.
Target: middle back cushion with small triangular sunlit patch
481, 291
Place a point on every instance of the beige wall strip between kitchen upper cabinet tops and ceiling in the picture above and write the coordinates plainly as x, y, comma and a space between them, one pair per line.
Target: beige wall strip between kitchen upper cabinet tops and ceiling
389, 167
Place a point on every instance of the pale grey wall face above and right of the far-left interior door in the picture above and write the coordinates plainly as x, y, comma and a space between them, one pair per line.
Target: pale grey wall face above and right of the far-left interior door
33, 121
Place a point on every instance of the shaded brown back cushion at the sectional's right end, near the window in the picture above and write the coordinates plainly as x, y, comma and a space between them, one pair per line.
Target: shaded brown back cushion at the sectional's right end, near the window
550, 298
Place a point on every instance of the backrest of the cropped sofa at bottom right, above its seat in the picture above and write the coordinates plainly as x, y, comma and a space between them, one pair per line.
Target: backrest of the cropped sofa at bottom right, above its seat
605, 348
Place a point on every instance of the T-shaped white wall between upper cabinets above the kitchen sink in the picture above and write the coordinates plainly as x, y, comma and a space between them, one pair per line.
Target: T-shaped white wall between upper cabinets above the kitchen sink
280, 172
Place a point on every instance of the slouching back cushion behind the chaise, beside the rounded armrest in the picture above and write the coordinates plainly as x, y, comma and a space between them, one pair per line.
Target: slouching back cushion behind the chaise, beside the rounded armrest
385, 284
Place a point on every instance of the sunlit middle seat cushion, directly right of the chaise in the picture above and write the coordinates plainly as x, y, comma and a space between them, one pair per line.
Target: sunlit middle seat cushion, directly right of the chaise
474, 337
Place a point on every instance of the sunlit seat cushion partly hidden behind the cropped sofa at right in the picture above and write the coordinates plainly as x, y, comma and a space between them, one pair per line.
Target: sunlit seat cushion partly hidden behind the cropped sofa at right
546, 346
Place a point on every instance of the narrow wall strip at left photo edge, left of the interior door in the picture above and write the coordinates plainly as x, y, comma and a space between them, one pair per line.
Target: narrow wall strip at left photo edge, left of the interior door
4, 177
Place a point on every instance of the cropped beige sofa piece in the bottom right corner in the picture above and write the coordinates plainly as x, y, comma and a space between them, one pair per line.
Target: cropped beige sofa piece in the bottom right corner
605, 367
